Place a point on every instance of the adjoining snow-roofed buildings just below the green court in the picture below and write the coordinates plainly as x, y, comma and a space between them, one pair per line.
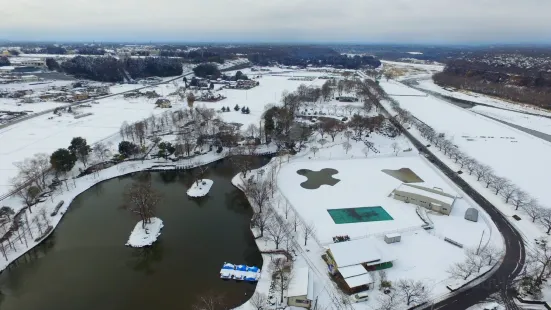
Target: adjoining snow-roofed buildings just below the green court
352, 260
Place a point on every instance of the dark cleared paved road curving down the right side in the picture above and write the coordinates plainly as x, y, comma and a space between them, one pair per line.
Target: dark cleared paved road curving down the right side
513, 262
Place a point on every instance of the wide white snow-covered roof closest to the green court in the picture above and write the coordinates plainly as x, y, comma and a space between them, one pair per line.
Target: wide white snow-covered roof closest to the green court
366, 250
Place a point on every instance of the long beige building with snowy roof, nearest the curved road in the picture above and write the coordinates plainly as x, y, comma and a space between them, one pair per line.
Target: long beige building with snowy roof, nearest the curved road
430, 198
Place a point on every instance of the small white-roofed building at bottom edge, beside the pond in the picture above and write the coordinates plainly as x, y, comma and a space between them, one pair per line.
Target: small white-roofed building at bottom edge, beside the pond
301, 288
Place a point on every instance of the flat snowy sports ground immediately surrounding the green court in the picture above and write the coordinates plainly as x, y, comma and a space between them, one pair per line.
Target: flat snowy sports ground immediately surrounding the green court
362, 184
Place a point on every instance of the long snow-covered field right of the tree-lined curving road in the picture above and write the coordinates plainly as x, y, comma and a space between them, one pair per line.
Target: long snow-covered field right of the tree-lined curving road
513, 154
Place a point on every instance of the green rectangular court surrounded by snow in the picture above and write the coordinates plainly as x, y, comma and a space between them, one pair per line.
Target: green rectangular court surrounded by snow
358, 215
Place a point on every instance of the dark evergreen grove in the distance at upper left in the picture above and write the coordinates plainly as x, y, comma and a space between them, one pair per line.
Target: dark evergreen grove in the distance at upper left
110, 69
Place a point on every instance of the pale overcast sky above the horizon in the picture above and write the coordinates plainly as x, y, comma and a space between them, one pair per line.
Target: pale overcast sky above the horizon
365, 21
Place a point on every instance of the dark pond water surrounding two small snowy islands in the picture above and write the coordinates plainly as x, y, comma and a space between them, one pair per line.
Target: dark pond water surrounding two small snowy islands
85, 264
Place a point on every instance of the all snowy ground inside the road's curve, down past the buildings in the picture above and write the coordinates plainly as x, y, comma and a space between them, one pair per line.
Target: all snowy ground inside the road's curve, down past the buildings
422, 255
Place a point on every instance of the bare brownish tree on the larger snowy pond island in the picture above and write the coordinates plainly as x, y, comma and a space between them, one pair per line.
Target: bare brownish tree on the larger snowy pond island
142, 199
